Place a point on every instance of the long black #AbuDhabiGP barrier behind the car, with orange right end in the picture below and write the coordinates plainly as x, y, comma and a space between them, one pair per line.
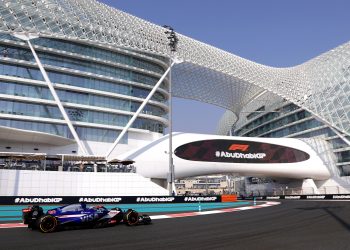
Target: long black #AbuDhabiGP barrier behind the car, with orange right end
18, 200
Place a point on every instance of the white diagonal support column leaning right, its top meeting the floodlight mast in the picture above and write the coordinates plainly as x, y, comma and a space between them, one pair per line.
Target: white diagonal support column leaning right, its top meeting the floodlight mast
125, 129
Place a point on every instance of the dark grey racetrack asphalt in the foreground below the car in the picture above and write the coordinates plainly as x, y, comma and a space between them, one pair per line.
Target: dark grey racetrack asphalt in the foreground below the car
290, 225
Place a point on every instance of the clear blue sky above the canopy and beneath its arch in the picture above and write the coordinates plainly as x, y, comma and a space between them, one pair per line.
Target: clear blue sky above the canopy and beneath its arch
273, 32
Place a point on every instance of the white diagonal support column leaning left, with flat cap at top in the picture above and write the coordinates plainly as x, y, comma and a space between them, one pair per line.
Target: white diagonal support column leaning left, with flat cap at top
27, 37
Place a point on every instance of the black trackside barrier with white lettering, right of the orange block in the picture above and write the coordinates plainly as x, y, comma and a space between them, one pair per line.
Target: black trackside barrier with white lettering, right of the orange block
299, 197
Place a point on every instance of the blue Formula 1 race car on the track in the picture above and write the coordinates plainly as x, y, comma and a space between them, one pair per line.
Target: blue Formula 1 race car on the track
79, 215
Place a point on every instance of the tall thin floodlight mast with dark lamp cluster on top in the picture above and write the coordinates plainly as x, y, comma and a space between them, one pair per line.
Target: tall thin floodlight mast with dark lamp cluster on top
173, 40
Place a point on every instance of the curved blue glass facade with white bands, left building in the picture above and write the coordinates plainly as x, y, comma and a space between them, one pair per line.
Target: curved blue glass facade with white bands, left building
118, 74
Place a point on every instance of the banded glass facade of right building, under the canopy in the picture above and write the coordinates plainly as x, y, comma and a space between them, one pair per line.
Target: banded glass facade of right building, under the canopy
289, 120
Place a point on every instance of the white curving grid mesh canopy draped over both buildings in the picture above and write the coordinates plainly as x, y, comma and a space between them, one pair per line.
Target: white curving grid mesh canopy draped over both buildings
207, 74
